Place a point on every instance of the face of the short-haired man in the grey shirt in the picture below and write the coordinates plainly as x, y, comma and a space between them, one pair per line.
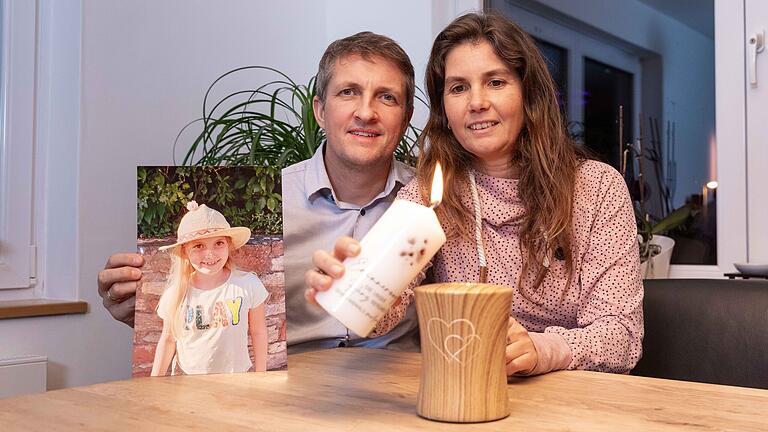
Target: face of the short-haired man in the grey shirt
364, 113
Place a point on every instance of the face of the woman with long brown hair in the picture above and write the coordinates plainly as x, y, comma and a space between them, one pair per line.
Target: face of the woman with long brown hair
483, 102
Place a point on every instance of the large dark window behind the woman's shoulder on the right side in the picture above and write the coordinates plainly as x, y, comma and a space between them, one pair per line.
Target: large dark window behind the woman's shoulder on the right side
650, 59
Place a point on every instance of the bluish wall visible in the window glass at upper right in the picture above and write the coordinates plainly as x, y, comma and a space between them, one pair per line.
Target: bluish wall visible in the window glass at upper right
687, 74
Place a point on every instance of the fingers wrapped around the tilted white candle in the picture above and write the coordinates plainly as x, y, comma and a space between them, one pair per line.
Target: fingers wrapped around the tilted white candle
328, 266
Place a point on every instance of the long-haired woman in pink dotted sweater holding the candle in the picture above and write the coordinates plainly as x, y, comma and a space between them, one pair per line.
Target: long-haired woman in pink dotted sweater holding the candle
558, 227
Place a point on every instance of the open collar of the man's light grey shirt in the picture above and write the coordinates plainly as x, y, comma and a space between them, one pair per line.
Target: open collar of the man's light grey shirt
317, 183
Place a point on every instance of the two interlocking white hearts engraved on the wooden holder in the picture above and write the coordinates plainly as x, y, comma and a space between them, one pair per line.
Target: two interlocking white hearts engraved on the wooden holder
454, 345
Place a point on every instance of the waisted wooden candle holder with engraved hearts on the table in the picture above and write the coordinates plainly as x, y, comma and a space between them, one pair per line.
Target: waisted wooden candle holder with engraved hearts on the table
463, 330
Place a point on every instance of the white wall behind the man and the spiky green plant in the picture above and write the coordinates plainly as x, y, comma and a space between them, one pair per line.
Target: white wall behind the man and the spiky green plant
142, 68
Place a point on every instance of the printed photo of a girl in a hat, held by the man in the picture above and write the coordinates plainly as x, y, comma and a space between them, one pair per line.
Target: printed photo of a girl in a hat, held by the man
212, 300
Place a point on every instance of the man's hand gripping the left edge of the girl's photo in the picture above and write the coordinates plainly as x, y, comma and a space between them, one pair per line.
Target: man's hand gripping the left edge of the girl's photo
118, 283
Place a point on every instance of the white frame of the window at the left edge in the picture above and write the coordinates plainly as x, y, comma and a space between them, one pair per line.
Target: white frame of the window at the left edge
52, 162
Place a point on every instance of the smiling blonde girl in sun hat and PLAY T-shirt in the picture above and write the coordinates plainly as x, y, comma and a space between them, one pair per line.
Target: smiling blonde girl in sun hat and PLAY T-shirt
209, 308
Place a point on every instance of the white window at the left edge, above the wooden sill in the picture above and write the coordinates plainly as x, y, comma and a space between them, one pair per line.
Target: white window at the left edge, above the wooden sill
39, 149
